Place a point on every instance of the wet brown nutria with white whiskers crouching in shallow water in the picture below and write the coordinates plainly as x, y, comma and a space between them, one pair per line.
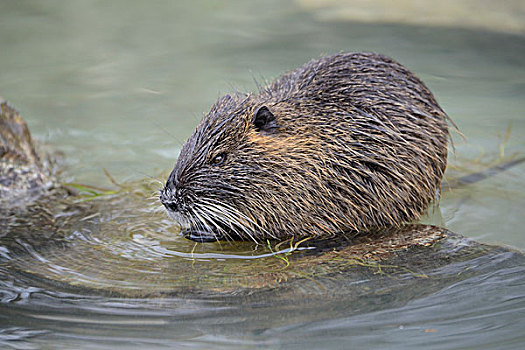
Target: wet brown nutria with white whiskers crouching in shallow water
349, 142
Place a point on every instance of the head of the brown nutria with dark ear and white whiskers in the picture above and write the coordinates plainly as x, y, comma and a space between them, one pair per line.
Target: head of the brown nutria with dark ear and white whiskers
242, 174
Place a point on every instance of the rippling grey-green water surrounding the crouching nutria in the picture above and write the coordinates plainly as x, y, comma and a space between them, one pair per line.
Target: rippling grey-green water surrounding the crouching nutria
121, 85
